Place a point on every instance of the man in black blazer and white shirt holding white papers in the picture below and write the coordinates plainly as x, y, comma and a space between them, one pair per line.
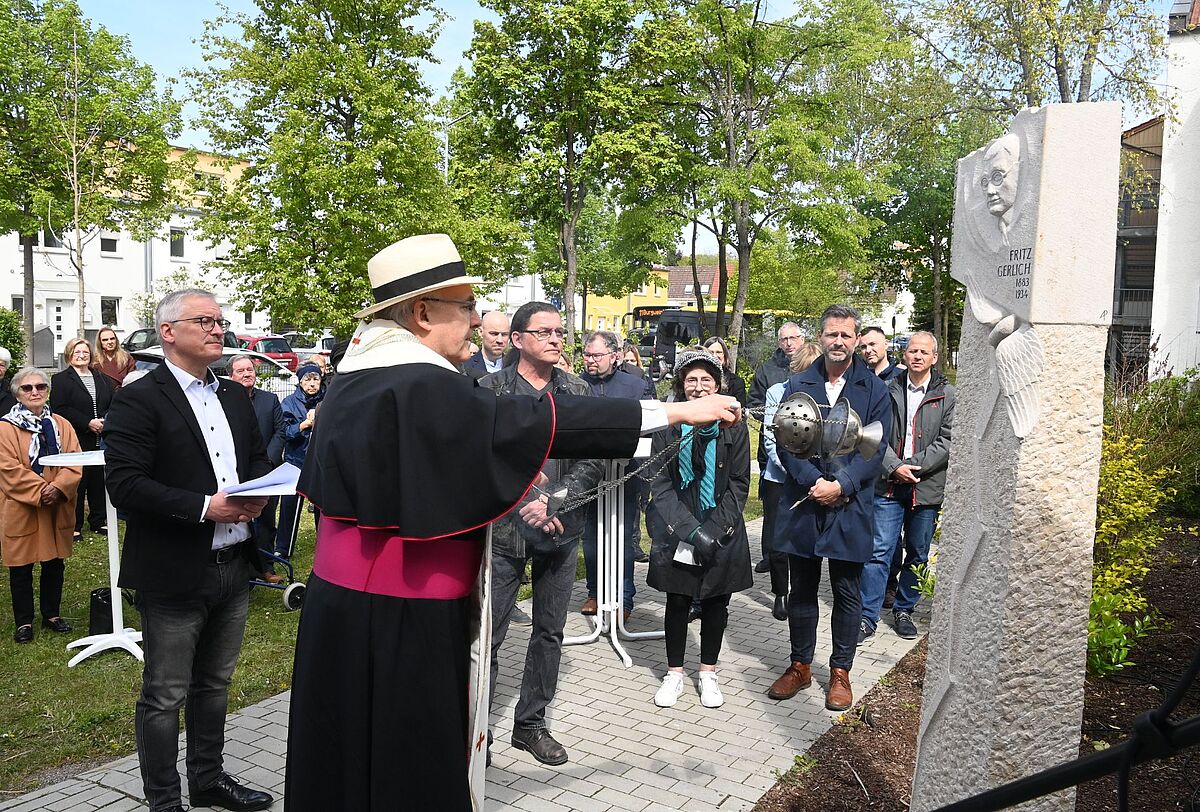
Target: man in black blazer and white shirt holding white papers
176, 441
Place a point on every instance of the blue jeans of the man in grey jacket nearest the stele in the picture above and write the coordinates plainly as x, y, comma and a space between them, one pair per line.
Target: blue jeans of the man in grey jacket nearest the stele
893, 518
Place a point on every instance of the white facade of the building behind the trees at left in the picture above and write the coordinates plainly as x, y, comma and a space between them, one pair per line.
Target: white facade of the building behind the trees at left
112, 280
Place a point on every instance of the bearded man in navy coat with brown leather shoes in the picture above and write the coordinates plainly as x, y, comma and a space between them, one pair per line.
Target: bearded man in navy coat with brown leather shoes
827, 512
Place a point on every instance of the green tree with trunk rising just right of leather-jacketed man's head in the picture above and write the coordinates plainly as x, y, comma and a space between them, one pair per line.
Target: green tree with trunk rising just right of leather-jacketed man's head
557, 85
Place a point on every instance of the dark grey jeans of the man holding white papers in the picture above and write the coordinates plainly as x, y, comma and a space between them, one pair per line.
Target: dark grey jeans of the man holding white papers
191, 645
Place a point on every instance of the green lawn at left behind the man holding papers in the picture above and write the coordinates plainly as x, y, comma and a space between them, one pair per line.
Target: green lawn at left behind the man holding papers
52, 715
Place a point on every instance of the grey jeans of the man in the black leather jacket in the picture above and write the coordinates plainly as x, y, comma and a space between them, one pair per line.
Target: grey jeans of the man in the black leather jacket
554, 575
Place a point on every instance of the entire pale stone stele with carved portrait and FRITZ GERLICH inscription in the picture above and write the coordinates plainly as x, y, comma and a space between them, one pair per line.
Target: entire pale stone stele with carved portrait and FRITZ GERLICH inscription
1035, 227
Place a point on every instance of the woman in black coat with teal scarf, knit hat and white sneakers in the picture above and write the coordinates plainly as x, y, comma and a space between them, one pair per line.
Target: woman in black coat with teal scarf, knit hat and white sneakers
697, 503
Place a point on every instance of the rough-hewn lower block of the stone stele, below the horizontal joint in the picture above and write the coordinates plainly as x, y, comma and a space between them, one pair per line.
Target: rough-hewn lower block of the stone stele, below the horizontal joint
1005, 679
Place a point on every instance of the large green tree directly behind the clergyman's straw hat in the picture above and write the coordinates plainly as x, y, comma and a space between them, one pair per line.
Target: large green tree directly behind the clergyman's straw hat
326, 101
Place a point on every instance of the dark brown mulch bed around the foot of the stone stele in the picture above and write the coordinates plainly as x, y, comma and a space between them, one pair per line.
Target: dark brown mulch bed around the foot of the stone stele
866, 762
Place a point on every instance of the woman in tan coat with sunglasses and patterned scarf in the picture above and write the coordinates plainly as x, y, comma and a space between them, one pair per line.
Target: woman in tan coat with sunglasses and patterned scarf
39, 512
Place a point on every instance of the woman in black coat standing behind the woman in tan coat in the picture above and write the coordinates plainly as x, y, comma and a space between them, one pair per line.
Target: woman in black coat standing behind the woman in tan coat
83, 396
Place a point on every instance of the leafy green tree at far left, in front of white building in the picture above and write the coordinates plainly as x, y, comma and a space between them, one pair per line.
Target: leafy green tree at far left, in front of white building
83, 135
